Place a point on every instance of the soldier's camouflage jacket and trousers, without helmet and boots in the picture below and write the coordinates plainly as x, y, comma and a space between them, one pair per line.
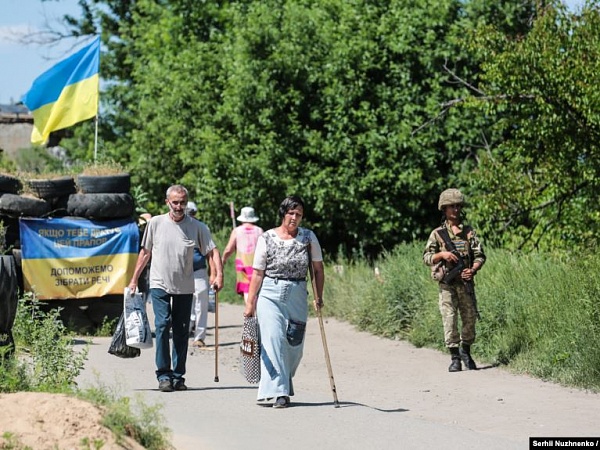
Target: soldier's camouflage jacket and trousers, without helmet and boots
453, 299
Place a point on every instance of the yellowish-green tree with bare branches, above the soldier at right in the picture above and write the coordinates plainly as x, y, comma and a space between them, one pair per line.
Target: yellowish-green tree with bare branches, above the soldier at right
535, 186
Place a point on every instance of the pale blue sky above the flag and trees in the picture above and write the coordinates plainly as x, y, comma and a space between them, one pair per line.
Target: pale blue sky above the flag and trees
21, 64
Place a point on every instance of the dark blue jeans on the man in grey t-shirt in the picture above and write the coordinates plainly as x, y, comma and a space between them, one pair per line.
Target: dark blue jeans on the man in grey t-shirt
177, 319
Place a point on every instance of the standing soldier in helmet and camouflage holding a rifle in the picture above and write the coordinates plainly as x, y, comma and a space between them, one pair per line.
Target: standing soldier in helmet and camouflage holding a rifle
455, 255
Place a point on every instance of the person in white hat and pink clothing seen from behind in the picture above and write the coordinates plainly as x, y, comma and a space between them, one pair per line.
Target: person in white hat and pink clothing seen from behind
243, 241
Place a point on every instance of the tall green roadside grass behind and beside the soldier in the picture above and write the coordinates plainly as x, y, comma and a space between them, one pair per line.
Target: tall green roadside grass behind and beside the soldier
540, 312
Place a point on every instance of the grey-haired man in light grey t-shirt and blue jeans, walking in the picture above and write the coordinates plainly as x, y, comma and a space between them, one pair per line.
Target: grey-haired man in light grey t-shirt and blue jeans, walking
169, 240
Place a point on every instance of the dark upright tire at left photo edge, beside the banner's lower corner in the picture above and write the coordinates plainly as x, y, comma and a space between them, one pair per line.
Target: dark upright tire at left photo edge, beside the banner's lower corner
8, 298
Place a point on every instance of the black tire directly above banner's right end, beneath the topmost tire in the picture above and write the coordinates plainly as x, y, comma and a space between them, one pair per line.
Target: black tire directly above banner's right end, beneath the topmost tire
100, 206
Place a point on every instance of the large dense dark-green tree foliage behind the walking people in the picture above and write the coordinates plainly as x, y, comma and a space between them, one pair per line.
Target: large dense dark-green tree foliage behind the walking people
249, 101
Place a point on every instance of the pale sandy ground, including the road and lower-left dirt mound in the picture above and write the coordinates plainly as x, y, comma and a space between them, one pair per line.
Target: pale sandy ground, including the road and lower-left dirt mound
390, 393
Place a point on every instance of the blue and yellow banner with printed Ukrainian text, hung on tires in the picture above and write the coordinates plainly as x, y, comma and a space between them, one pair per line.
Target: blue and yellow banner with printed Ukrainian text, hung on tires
77, 258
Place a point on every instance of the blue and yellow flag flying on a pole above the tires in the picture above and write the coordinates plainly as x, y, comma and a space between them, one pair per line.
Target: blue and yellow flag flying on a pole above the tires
65, 94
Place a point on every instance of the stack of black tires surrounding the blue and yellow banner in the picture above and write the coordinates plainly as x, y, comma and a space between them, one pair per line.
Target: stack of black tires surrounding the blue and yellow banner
94, 197
